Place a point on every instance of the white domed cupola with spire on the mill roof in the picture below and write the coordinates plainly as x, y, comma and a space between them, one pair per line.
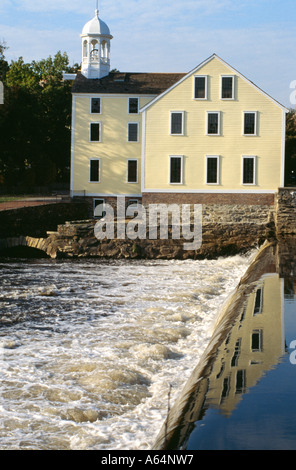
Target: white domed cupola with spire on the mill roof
96, 39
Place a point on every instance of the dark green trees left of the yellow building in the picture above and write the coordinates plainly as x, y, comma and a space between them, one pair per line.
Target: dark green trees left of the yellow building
35, 123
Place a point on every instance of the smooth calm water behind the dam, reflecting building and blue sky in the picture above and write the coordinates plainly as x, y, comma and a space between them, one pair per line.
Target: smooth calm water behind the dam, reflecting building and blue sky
241, 395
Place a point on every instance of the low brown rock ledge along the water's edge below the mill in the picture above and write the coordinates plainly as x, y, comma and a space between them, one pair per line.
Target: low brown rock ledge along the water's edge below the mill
77, 239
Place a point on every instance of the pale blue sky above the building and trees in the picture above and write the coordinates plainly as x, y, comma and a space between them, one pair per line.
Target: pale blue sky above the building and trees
257, 37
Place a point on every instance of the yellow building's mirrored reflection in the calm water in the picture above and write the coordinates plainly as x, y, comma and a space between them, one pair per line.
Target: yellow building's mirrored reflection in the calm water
253, 346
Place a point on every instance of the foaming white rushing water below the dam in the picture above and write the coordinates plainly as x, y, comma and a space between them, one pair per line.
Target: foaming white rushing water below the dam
90, 349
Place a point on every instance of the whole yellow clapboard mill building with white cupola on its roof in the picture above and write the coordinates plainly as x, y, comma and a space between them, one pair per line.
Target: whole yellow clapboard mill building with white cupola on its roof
207, 136
